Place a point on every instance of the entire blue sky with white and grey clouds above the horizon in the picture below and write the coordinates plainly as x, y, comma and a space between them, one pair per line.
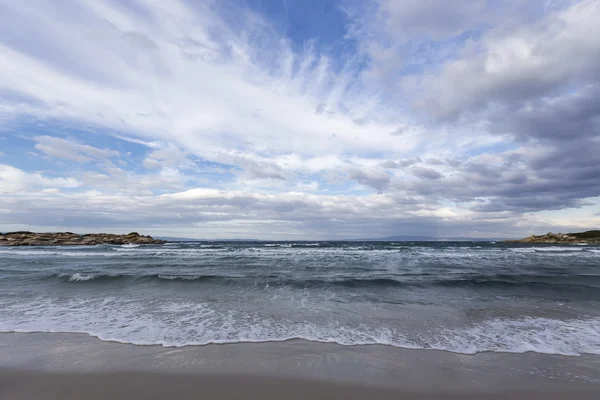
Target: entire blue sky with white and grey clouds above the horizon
300, 119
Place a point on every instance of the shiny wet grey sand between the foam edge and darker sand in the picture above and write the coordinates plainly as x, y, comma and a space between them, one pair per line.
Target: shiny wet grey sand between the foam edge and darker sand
374, 366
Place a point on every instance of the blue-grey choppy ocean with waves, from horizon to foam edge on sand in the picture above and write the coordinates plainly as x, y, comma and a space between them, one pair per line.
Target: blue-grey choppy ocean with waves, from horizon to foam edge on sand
460, 297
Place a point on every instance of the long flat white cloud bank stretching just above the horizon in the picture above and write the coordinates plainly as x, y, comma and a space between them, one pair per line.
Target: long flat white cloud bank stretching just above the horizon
223, 213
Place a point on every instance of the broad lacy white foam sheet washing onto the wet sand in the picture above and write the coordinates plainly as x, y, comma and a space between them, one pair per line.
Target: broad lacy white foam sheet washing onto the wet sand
175, 324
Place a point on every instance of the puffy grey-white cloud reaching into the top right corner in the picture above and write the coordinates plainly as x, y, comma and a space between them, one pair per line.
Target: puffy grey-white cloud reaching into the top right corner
511, 65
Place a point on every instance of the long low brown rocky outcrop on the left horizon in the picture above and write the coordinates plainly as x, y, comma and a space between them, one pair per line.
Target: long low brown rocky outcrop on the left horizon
71, 239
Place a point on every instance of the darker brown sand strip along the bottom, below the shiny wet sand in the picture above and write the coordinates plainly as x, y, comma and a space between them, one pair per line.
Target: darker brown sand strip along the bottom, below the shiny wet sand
30, 385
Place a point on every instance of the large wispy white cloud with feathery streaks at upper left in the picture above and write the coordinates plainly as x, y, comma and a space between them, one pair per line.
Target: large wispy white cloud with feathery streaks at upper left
223, 102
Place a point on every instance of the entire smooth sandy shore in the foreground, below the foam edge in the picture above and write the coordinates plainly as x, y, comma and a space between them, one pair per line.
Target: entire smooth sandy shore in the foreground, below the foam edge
77, 366
